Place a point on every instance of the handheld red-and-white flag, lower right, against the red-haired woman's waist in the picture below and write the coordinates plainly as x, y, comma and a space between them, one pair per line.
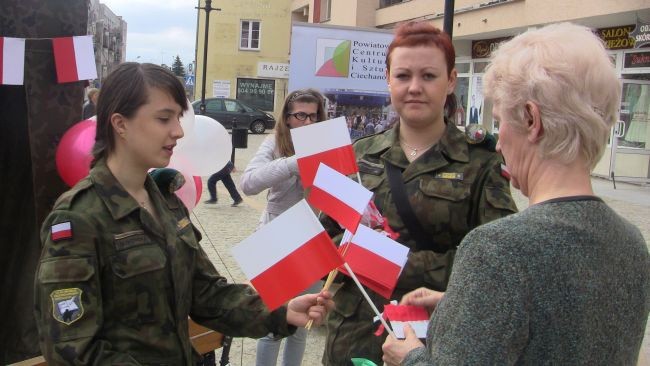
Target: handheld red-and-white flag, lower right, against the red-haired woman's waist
376, 260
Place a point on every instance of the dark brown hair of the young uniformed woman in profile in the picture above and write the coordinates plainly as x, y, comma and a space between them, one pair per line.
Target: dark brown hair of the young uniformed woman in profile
125, 90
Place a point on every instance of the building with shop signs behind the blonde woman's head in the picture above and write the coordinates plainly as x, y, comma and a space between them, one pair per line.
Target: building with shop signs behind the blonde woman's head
480, 25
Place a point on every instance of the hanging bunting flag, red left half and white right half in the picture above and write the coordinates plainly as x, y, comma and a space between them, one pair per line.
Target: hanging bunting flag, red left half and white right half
74, 58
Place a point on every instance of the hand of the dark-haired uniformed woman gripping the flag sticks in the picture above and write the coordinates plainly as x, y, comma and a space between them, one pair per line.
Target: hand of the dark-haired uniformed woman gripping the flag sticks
311, 306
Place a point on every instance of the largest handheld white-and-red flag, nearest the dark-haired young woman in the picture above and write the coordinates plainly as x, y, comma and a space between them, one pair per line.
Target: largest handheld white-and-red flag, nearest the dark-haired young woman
287, 255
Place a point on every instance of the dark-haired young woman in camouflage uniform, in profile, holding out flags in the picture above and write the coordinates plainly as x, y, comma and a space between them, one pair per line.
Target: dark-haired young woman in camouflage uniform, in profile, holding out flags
121, 267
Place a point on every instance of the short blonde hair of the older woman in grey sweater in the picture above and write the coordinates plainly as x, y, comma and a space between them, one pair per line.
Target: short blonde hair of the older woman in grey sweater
565, 70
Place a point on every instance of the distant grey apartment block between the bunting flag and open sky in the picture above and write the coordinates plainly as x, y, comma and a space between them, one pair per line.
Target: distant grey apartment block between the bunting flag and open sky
109, 39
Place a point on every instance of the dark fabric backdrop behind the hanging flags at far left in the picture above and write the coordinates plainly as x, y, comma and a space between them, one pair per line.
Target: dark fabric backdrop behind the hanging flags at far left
33, 117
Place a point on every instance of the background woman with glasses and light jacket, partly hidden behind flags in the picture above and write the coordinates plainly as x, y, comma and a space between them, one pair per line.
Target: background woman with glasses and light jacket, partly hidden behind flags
275, 167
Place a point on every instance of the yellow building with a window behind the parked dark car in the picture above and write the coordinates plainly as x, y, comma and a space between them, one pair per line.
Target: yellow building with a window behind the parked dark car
248, 52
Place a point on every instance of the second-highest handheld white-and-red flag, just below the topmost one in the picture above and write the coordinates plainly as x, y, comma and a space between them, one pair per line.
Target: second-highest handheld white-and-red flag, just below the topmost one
338, 196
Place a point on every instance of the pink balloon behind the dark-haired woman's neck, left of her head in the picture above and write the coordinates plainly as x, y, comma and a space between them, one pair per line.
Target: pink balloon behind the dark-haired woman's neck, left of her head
74, 152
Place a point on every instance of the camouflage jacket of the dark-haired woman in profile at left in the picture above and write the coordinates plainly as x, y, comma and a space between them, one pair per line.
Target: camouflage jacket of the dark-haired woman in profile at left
115, 287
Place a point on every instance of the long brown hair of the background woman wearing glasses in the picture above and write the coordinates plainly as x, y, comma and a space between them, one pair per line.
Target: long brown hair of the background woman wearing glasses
283, 140
